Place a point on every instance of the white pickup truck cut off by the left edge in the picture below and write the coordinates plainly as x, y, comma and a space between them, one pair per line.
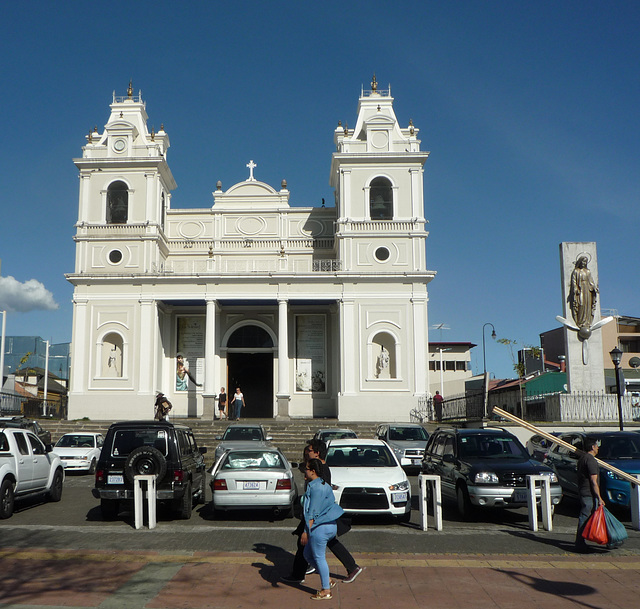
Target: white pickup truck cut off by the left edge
26, 468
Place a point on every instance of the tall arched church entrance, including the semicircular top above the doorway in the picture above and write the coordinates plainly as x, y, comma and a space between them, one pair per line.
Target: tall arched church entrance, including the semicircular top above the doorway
250, 367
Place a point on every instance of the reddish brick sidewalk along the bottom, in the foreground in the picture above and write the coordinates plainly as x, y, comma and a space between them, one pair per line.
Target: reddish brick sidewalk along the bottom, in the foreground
217, 580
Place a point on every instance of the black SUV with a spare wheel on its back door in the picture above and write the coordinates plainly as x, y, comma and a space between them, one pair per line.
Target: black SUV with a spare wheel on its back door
146, 448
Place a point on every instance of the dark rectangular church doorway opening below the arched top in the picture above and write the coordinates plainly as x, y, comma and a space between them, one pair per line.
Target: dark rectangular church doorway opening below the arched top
253, 373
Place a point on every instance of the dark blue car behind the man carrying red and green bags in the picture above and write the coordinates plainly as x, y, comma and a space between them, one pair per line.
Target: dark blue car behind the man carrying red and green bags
618, 448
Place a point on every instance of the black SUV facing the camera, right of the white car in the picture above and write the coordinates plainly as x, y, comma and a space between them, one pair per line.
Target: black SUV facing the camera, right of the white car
483, 468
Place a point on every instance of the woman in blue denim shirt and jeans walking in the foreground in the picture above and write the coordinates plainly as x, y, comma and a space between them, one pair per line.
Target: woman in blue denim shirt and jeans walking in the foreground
320, 514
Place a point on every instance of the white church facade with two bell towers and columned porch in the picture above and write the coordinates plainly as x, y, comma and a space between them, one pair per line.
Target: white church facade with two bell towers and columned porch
311, 311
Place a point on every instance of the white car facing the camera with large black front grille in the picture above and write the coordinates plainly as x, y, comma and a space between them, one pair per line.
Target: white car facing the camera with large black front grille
367, 478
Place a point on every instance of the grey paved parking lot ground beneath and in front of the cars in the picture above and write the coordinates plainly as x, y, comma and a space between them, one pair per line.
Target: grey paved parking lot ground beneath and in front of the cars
77, 522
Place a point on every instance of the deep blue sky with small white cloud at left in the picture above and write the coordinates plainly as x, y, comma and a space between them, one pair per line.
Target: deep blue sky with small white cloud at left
530, 111
